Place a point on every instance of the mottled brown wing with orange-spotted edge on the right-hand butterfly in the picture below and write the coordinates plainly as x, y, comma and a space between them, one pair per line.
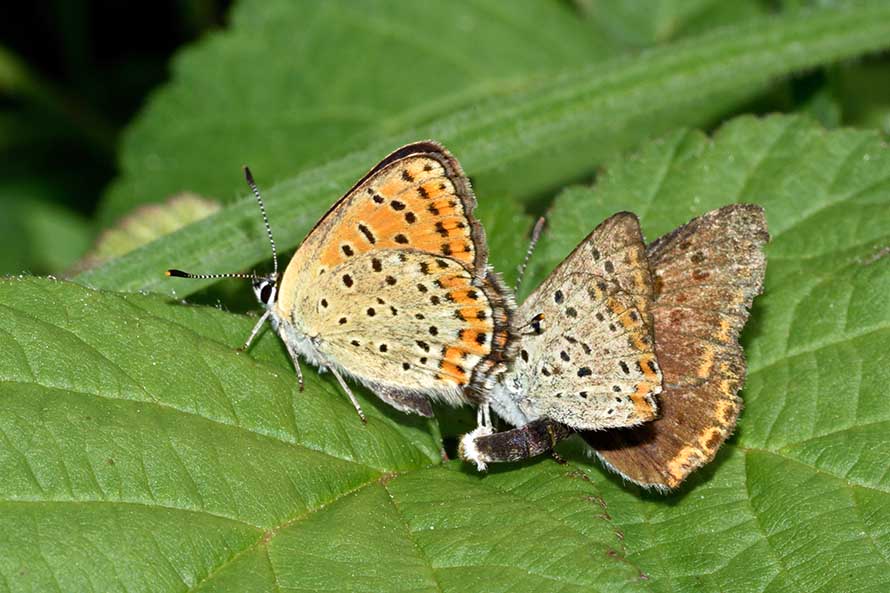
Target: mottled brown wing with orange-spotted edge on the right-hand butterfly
707, 274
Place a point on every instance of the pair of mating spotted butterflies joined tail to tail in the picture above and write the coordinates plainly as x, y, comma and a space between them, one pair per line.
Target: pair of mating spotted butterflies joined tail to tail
392, 287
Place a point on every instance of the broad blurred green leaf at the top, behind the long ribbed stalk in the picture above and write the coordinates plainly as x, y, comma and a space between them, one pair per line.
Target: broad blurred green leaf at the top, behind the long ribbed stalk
306, 81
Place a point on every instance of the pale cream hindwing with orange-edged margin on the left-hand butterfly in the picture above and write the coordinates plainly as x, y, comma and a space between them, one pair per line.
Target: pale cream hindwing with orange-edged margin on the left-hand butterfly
407, 324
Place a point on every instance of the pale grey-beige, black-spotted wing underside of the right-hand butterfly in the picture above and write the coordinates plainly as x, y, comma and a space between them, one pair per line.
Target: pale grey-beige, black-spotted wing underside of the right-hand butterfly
589, 359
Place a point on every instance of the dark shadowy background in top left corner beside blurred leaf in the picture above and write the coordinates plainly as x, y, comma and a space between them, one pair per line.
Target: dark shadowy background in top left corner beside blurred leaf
72, 76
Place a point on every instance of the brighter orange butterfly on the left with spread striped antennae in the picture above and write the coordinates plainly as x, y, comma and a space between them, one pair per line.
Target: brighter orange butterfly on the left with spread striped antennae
392, 287
